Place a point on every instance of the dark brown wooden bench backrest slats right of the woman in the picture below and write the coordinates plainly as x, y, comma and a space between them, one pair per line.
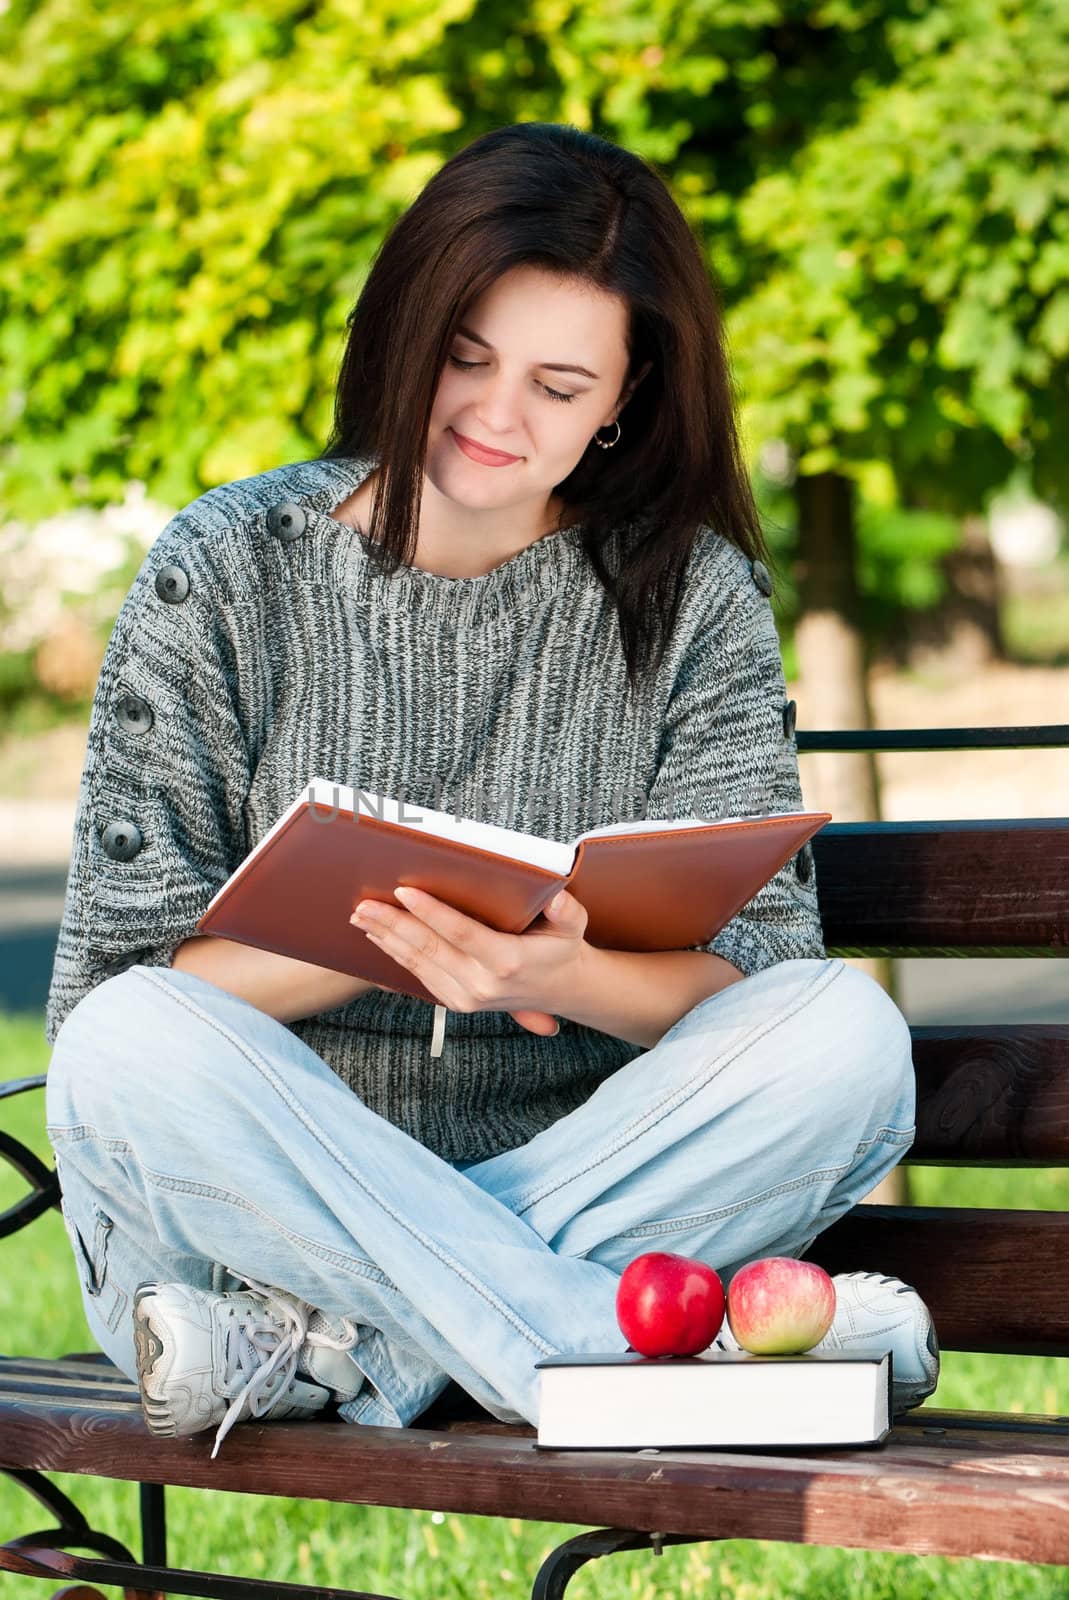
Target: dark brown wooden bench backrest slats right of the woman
988, 1095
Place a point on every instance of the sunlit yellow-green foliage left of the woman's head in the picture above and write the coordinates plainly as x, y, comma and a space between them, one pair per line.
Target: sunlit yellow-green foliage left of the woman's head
190, 201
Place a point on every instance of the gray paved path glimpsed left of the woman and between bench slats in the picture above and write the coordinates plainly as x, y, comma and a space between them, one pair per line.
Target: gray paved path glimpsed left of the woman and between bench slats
931, 991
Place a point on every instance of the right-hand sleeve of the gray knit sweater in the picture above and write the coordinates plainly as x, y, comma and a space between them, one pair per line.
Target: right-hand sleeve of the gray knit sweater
726, 753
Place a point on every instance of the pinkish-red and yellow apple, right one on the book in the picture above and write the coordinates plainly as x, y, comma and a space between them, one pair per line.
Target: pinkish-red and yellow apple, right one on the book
780, 1306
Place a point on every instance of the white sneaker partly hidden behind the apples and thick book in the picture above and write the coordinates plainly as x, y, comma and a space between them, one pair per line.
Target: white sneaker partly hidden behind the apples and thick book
873, 1314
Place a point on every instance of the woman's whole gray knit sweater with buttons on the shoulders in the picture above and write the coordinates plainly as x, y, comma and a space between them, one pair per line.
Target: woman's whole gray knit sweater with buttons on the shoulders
258, 650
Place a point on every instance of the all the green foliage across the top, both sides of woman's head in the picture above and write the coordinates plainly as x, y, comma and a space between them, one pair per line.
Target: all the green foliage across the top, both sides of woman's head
191, 198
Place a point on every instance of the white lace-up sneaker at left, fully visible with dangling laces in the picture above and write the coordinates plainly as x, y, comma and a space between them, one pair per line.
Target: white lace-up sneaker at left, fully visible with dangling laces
207, 1358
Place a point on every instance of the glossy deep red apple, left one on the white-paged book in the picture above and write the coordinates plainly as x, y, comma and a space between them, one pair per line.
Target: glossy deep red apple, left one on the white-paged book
670, 1305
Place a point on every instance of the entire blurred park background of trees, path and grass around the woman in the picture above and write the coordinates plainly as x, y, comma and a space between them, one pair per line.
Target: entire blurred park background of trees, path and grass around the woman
191, 199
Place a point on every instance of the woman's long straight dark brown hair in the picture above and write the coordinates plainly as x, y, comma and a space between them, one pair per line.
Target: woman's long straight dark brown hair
551, 196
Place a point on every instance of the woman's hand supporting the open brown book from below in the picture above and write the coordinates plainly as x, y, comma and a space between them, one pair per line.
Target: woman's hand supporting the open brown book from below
471, 967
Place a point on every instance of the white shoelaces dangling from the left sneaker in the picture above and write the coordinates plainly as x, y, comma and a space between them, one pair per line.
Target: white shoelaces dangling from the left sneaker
257, 1337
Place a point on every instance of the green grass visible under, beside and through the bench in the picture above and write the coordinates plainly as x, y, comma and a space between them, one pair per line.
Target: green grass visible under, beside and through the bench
430, 1556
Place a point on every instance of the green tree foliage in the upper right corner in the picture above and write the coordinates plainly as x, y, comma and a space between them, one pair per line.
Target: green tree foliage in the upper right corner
907, 300
